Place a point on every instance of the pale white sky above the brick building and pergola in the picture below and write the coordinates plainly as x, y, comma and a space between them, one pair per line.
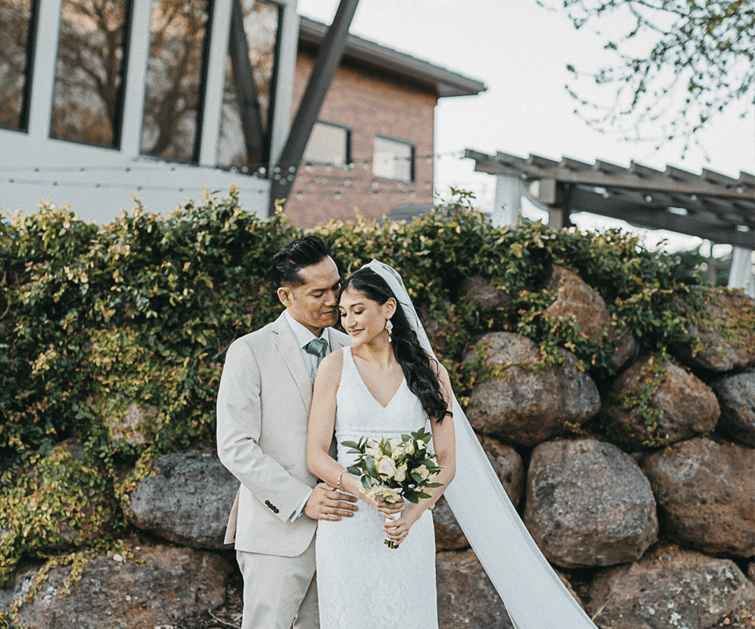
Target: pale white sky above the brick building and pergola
520, 50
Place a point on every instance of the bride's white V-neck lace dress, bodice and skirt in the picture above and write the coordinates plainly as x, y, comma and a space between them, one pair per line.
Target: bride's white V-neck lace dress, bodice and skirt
361, 582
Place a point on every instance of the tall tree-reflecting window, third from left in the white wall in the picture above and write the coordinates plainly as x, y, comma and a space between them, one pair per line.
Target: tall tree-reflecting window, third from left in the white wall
175, 79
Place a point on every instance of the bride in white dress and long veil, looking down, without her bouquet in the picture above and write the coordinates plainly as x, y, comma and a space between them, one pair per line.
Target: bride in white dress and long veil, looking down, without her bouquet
390, 383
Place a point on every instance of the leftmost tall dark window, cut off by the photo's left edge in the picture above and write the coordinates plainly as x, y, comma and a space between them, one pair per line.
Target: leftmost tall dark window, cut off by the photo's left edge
15, 62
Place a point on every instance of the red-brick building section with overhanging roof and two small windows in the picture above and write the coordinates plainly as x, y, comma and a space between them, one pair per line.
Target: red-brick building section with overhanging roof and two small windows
372, 150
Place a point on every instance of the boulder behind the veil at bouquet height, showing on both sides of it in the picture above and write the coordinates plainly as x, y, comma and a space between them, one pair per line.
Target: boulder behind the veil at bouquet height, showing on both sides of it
509, 468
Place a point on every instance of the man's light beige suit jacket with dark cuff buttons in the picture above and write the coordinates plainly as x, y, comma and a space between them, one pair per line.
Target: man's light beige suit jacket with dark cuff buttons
262, 412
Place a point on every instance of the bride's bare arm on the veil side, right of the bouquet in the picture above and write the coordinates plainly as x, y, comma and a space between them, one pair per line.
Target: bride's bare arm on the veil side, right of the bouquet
444, 444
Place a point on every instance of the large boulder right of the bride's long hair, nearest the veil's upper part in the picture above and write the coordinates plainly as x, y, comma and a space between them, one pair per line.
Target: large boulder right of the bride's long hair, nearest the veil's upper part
522, 402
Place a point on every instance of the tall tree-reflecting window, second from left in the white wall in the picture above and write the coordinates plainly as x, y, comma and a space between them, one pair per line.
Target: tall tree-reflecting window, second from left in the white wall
87, 104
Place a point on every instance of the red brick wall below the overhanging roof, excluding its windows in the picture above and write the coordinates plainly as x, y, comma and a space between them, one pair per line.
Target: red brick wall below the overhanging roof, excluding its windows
369, 103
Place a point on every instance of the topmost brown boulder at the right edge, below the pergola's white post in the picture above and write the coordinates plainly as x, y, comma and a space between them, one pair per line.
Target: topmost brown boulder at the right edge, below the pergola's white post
728, 337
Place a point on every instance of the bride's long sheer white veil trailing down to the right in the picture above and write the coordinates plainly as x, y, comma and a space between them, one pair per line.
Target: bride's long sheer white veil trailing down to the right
534, 596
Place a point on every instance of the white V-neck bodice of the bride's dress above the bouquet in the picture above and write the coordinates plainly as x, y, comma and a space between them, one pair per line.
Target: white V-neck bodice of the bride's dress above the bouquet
359, 414
